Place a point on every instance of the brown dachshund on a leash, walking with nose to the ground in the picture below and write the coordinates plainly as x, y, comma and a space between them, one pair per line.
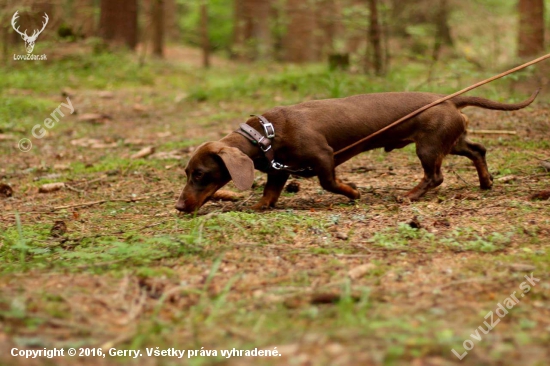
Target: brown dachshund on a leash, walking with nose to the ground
306, 136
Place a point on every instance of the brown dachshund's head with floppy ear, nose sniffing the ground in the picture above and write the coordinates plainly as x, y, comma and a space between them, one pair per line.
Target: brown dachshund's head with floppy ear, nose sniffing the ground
213, 165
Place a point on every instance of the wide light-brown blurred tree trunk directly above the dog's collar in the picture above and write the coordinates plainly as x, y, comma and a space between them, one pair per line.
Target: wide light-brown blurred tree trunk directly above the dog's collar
252, 34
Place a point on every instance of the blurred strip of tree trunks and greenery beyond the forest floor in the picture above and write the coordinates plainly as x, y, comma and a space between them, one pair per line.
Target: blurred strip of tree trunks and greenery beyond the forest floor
373, 36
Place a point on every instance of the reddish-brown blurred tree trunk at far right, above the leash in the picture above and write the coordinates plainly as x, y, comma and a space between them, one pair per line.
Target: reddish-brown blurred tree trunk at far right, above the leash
531, 27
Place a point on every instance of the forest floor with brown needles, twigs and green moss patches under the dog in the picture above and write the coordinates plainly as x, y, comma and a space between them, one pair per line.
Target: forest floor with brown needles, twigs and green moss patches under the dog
107, 262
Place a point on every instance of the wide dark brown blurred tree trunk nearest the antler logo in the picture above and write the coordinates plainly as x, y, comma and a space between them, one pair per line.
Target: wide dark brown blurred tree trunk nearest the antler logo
118, 22
